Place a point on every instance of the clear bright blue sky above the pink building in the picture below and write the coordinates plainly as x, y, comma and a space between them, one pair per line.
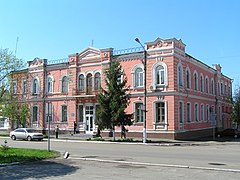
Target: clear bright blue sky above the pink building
53, 29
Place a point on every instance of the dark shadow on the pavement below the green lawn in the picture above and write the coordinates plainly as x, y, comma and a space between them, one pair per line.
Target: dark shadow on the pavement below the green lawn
38, 170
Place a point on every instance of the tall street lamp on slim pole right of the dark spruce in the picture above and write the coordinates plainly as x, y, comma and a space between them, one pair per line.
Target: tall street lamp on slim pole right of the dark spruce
145, 91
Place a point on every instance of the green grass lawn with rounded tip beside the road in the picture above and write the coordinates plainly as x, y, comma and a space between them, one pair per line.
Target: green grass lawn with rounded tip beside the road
9, 155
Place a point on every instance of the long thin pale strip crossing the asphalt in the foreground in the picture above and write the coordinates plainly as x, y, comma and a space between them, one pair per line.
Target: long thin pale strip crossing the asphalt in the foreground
156, 164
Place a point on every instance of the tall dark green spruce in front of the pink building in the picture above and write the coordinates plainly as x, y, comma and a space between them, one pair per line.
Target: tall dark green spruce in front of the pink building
113, 100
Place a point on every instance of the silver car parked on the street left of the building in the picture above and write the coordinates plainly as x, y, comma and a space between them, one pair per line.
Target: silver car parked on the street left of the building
26, 133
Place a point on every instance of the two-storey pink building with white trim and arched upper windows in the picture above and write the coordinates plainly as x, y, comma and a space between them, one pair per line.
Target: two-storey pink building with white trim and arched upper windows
183, 93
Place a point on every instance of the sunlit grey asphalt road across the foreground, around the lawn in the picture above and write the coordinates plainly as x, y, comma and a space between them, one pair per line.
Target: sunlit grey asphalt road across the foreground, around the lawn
91, 160
